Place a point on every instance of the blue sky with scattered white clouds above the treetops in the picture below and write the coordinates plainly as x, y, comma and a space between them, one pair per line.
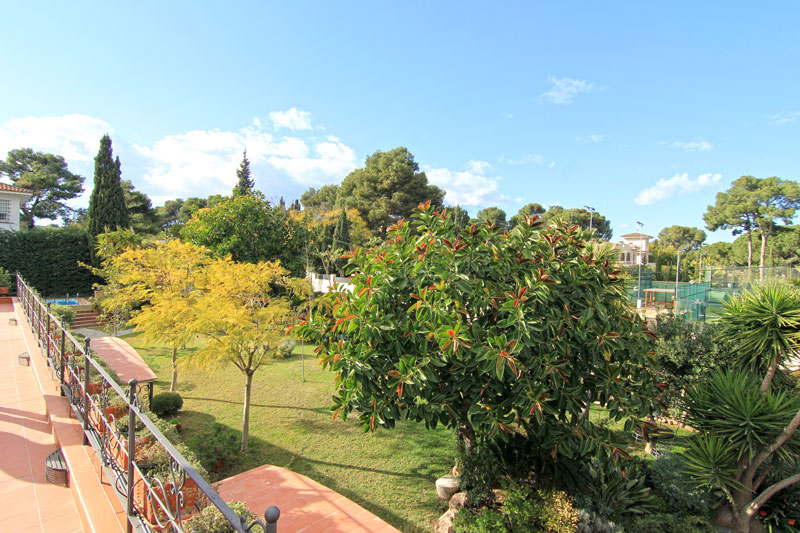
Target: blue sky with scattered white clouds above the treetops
640, 110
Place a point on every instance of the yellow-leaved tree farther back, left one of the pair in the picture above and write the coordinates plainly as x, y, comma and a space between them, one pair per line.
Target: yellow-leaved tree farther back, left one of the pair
161, 277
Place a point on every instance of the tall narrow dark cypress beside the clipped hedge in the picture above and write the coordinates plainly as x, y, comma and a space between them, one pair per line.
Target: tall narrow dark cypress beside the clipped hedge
107, 211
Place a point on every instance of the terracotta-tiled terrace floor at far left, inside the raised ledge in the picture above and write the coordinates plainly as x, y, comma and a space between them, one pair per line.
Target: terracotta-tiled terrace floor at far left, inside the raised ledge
29, 502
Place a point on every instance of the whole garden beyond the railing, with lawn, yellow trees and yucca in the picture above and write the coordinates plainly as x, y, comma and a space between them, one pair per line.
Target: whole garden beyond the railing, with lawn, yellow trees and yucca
511, 358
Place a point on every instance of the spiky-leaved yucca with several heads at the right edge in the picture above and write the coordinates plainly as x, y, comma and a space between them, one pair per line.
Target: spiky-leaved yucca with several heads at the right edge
747, 426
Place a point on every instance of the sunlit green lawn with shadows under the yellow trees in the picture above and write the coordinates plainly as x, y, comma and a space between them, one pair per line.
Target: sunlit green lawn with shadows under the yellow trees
389, 472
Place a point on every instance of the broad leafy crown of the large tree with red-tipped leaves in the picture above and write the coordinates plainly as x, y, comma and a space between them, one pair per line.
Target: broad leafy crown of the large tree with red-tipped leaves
488, 332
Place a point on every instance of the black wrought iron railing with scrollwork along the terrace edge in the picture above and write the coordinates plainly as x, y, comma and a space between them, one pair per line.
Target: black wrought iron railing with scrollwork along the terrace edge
160, 494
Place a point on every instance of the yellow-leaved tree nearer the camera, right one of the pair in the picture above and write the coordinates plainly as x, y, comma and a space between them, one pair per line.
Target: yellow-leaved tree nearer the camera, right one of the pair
242, 310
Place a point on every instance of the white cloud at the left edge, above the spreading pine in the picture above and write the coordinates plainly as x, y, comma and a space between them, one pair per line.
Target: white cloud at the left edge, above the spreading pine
76, 137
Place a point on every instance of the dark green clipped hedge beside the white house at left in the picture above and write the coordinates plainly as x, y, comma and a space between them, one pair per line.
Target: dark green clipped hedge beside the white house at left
48, 259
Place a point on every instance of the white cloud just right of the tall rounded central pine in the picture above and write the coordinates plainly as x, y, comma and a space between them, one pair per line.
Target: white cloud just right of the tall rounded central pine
470, 187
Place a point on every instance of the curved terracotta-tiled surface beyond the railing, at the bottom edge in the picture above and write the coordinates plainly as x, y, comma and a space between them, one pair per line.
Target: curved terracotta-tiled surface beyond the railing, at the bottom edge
306, 506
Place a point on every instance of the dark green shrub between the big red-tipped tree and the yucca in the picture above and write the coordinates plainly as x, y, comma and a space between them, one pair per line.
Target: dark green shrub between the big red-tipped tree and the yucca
687, 352
